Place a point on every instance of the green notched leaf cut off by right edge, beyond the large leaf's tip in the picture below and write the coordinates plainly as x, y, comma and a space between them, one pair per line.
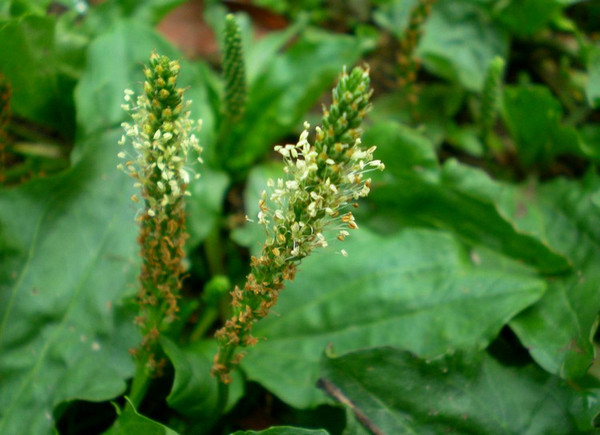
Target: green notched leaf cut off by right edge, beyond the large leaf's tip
564, 213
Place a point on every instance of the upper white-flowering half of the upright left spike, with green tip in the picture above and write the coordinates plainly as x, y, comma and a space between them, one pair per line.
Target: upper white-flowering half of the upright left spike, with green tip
161, 141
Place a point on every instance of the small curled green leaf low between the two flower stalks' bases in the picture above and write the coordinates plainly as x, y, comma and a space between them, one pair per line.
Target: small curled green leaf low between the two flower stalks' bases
194, 391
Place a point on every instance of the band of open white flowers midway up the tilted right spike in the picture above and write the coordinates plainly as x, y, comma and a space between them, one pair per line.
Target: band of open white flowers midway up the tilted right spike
314, 196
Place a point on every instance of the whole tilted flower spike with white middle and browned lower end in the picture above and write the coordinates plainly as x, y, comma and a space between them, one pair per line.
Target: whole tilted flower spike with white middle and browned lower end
321, 182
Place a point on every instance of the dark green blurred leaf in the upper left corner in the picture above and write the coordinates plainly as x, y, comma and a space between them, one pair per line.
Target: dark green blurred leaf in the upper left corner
41, 79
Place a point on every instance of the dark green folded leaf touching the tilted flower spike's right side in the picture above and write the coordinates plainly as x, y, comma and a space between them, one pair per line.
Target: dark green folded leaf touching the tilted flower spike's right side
456, 198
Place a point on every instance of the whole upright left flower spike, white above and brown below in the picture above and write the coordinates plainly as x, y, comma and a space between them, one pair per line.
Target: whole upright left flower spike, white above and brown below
162, 135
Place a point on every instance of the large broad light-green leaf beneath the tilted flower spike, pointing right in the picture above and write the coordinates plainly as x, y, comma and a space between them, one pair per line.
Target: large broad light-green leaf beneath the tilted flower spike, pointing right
417, 289
